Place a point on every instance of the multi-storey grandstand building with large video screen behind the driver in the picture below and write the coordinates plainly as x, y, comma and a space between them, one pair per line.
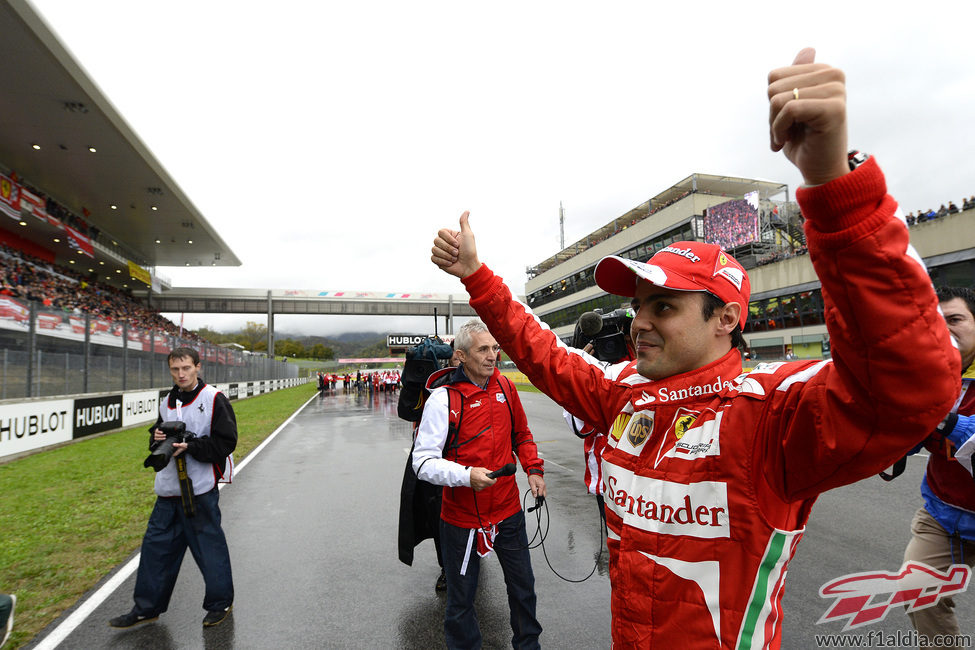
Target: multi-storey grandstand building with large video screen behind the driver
762, 228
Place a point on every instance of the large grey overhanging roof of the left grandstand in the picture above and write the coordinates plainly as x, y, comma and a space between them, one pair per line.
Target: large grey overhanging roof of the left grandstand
49, 101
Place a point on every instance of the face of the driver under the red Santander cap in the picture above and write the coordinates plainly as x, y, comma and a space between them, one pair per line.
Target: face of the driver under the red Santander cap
669, 333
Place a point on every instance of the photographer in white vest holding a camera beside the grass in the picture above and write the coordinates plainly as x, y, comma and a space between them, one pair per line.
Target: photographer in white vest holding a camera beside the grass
173, 526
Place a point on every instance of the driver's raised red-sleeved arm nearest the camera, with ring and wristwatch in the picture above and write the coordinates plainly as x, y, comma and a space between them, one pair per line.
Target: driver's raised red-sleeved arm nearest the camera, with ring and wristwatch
895, 372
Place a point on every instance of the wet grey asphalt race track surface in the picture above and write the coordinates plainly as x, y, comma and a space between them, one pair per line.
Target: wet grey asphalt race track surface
311, 524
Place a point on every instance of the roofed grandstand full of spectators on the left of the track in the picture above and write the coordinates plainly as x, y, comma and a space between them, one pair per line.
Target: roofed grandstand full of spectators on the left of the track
87, 214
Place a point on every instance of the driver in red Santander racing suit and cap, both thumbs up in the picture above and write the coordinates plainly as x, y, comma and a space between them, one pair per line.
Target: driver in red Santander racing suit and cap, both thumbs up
711, 474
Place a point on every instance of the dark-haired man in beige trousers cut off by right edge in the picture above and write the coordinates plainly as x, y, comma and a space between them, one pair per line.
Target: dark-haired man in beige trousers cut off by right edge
943, 531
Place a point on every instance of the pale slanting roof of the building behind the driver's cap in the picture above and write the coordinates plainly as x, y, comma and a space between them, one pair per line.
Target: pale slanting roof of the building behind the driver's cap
730, 186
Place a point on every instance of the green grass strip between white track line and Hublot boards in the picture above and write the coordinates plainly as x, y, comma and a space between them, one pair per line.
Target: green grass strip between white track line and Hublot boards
71, 515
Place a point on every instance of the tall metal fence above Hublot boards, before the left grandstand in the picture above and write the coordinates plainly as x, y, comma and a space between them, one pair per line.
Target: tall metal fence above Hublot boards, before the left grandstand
45, 352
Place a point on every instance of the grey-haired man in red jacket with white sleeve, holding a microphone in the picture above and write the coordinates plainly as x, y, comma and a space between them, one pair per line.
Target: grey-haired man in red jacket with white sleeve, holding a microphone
472, 425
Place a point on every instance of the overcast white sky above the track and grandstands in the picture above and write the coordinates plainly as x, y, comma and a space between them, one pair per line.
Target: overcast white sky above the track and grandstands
327, 141
